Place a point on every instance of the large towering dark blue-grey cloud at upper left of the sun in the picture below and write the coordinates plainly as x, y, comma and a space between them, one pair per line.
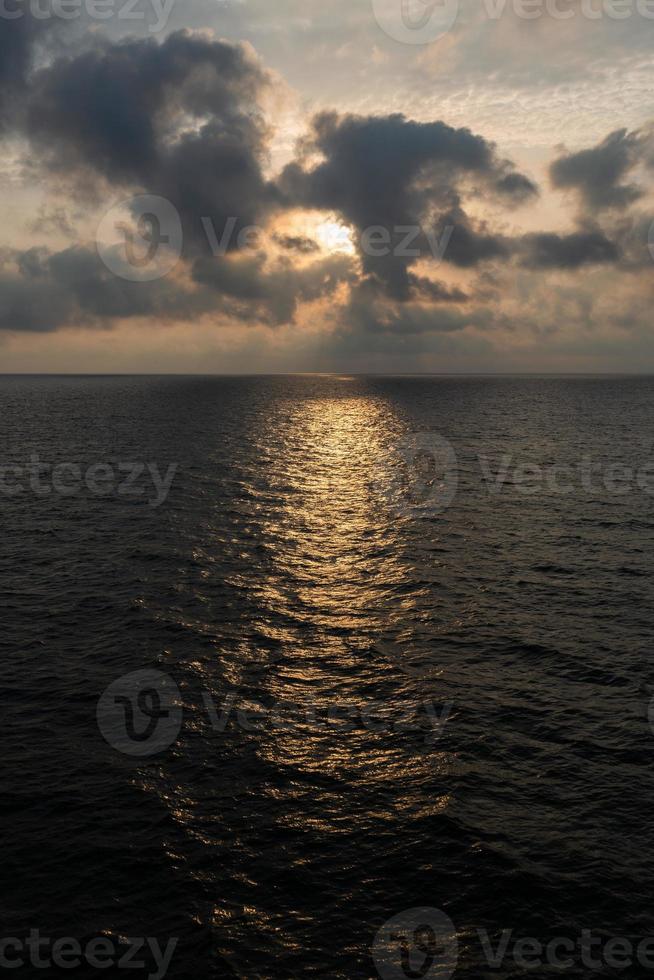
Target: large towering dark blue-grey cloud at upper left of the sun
178, 119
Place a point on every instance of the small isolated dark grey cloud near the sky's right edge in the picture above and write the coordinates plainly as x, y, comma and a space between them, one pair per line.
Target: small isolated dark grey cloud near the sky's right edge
598, 173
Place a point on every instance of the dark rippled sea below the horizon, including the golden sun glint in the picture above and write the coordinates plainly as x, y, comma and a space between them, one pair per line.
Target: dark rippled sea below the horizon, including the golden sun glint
304, 557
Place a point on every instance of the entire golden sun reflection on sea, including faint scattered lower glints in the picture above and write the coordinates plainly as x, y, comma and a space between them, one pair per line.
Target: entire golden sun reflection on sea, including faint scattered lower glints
330, 579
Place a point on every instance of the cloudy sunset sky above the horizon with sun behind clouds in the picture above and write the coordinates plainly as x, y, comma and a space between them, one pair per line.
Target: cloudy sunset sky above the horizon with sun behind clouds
241, 186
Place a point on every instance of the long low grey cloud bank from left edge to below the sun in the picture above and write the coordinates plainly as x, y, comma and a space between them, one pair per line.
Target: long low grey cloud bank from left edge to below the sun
41, 291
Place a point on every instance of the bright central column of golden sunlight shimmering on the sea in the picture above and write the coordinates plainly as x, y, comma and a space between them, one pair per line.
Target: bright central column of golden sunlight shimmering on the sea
340, 566
